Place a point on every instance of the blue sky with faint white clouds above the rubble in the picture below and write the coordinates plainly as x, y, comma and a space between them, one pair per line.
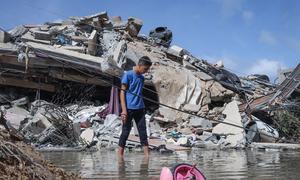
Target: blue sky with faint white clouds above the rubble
249, 36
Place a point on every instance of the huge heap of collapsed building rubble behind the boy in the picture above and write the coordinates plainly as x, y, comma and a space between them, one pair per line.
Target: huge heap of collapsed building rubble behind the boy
190, 102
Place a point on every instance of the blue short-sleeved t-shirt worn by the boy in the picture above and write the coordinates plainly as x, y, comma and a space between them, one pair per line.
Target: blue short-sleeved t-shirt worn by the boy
135, 83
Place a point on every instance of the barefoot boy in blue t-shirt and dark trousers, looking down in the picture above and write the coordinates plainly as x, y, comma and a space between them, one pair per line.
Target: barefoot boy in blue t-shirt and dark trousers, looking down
132, 105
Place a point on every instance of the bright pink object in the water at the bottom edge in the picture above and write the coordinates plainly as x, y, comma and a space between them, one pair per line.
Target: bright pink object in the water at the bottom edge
182, 172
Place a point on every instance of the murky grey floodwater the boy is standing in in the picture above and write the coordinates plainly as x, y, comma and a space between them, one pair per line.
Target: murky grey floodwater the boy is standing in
231, 164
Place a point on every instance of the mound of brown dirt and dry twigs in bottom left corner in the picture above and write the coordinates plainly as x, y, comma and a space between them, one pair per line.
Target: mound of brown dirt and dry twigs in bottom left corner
20, 161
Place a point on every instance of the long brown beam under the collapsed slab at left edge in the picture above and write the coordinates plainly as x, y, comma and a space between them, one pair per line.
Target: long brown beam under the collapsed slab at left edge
26, 84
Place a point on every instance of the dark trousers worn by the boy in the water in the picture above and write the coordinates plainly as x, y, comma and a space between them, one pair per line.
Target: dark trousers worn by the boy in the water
139, 116
